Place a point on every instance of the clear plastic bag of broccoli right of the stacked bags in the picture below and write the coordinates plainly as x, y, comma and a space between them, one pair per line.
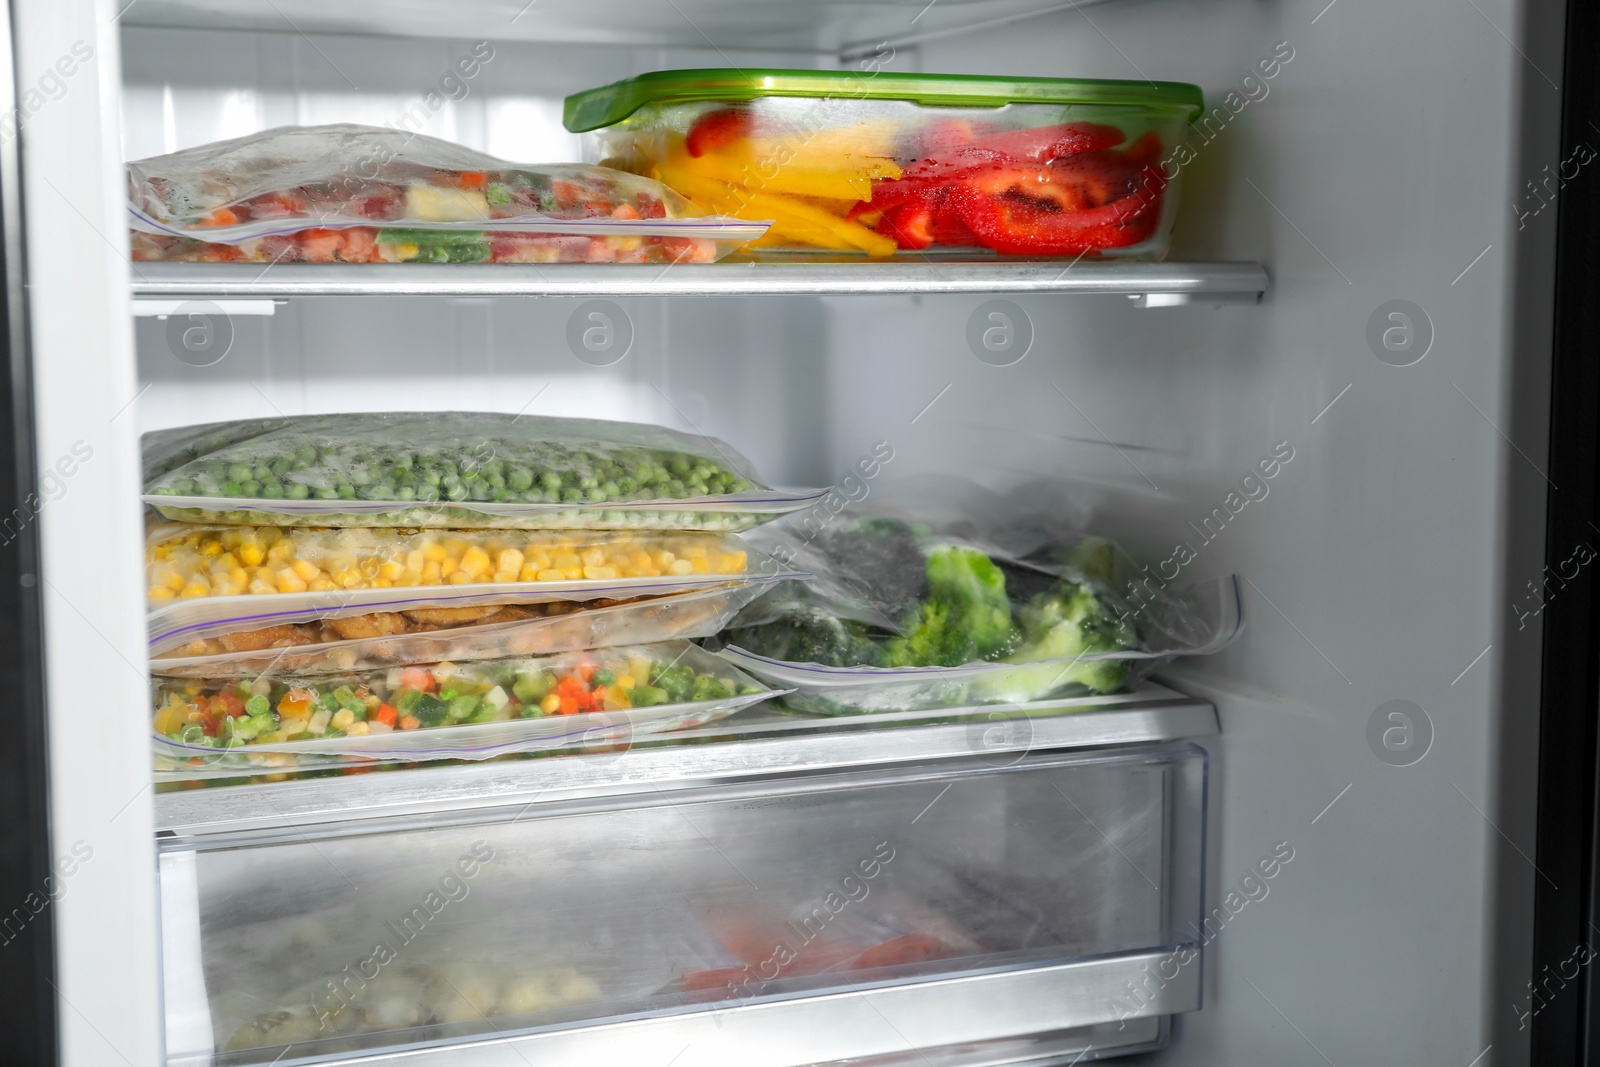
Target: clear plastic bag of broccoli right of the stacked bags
902, 618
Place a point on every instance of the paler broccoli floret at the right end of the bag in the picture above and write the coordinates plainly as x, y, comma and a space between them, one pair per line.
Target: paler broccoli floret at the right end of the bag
1068, 623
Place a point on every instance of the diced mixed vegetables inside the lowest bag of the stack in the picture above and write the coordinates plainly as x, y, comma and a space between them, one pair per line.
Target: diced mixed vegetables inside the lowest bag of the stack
276, 709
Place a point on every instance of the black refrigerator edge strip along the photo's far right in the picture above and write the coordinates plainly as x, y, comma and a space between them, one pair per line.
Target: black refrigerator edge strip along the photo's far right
1562, 1002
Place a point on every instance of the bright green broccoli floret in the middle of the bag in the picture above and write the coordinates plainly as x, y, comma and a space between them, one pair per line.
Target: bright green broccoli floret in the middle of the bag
966, 617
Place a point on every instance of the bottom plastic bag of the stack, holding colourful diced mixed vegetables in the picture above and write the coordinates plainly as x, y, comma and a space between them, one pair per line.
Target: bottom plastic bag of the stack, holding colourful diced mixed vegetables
452, 711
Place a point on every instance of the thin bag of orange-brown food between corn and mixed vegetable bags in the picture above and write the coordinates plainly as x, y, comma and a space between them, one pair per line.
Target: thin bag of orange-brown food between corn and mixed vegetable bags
428, 636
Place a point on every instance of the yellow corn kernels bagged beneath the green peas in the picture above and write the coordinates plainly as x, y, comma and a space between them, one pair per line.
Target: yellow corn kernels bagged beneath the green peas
191, 562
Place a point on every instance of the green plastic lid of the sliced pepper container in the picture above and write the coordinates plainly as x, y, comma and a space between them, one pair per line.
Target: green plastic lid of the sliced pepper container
614, 103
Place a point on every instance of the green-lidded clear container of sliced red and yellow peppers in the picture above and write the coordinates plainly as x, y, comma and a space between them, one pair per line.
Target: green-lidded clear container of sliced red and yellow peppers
906, 162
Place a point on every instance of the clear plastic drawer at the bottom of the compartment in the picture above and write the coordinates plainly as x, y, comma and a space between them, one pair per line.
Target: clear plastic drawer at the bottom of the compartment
802, 921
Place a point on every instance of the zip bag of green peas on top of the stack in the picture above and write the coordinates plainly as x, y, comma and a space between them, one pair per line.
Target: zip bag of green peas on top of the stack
458, 470
